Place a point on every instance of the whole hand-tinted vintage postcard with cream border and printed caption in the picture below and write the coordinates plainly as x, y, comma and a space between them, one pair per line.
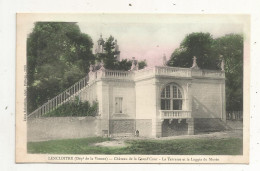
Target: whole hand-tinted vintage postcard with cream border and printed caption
132, 88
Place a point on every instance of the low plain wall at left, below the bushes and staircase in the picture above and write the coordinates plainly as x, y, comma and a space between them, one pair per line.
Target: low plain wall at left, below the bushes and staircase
50, 128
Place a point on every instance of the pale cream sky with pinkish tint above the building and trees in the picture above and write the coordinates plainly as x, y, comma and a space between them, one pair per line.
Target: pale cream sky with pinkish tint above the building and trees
150, 37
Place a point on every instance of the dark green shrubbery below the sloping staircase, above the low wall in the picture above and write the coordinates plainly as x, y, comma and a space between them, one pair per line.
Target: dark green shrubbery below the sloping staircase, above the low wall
74, 108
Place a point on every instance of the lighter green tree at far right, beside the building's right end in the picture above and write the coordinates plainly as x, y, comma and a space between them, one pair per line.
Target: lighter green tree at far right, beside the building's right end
231, 48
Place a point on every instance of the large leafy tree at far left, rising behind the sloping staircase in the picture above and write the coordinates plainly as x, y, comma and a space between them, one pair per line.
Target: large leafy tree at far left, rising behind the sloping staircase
58, 55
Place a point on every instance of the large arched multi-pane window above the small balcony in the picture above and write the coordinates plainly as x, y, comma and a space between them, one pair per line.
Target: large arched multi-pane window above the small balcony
171, 98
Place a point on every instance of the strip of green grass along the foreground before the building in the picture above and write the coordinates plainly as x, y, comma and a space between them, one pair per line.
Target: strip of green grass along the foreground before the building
228, 146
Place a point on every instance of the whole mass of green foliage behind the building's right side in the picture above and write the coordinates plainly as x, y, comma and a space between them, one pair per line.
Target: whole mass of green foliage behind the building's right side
208, 52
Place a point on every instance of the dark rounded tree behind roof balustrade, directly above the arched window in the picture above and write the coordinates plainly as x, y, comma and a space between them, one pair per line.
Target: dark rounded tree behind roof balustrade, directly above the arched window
194, 44
